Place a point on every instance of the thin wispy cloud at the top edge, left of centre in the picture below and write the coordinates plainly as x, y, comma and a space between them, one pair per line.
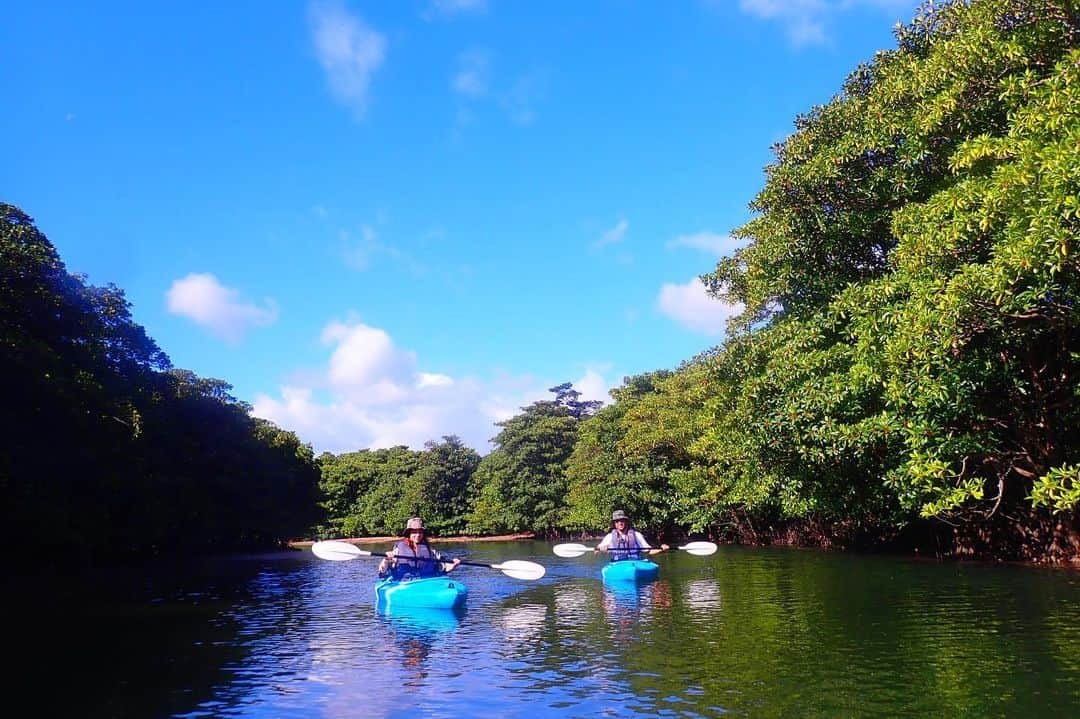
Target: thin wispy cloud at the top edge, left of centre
349, 51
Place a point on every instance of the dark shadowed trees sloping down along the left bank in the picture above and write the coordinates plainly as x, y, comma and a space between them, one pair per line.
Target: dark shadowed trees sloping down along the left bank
112, 454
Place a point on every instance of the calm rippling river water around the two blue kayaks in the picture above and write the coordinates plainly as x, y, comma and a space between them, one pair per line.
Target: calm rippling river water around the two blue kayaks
748, 633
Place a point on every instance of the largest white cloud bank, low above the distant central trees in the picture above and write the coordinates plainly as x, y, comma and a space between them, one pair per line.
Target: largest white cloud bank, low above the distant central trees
372, 396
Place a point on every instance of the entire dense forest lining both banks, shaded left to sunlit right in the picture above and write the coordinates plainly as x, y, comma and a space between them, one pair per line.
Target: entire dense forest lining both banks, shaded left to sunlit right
902, 374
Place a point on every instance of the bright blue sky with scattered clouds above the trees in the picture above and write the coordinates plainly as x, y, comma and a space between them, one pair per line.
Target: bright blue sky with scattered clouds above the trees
384, 223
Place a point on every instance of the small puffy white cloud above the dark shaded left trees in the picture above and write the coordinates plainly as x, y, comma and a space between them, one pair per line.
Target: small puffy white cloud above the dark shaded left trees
208, 303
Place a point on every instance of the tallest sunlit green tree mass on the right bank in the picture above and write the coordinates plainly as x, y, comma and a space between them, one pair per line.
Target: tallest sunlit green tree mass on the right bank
916, 255
